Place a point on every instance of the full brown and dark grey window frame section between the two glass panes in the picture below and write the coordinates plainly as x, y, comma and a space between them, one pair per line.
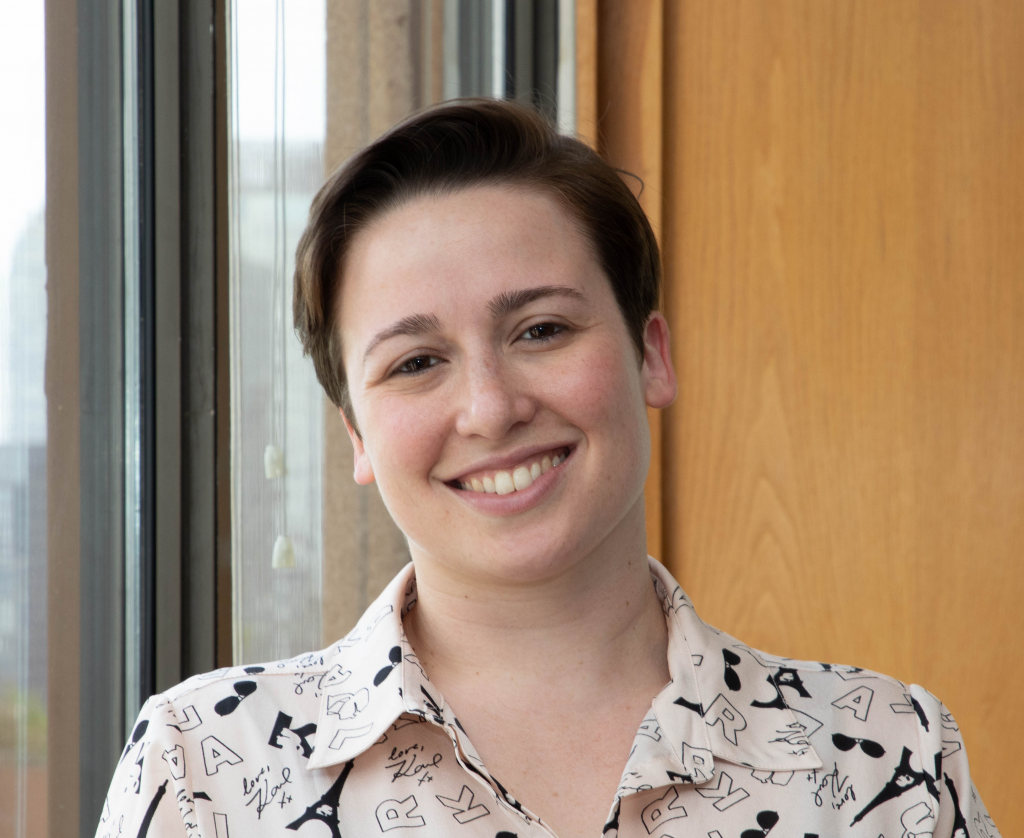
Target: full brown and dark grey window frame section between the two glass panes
150, 130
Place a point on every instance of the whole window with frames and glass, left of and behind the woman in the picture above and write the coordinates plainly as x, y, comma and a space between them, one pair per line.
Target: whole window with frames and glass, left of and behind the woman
183, 494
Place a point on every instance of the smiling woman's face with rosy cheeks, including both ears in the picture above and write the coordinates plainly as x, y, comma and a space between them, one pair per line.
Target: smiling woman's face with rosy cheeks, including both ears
500, 398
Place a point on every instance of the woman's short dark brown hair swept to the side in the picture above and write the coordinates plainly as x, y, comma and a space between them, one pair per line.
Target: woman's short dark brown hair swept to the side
450, 148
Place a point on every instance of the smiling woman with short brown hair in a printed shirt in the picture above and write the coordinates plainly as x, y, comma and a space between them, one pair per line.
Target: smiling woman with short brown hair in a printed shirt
478, 295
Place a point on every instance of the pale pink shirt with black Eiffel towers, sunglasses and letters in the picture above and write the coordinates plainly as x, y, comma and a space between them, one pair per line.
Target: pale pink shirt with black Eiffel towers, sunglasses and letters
355, 741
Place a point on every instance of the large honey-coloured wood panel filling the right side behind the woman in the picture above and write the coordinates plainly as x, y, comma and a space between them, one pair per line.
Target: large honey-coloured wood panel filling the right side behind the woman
843, 469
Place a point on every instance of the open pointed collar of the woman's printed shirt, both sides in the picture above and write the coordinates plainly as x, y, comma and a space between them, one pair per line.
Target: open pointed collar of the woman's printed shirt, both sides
724, 701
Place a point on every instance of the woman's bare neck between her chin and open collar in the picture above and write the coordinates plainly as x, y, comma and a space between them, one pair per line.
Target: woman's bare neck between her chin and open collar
589, 627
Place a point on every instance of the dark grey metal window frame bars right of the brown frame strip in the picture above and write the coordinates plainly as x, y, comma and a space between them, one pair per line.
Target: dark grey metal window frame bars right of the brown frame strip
182, 339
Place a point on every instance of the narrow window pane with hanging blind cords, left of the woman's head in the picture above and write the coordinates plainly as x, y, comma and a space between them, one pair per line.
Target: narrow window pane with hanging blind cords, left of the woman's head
277, 124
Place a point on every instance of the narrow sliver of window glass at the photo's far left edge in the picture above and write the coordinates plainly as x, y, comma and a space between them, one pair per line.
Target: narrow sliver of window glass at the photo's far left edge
23, 425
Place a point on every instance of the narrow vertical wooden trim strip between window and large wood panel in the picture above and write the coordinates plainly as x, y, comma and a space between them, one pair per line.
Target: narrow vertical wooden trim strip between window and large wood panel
629, 105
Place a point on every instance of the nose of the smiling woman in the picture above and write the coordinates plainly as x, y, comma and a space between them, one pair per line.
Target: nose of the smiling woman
493, 401
